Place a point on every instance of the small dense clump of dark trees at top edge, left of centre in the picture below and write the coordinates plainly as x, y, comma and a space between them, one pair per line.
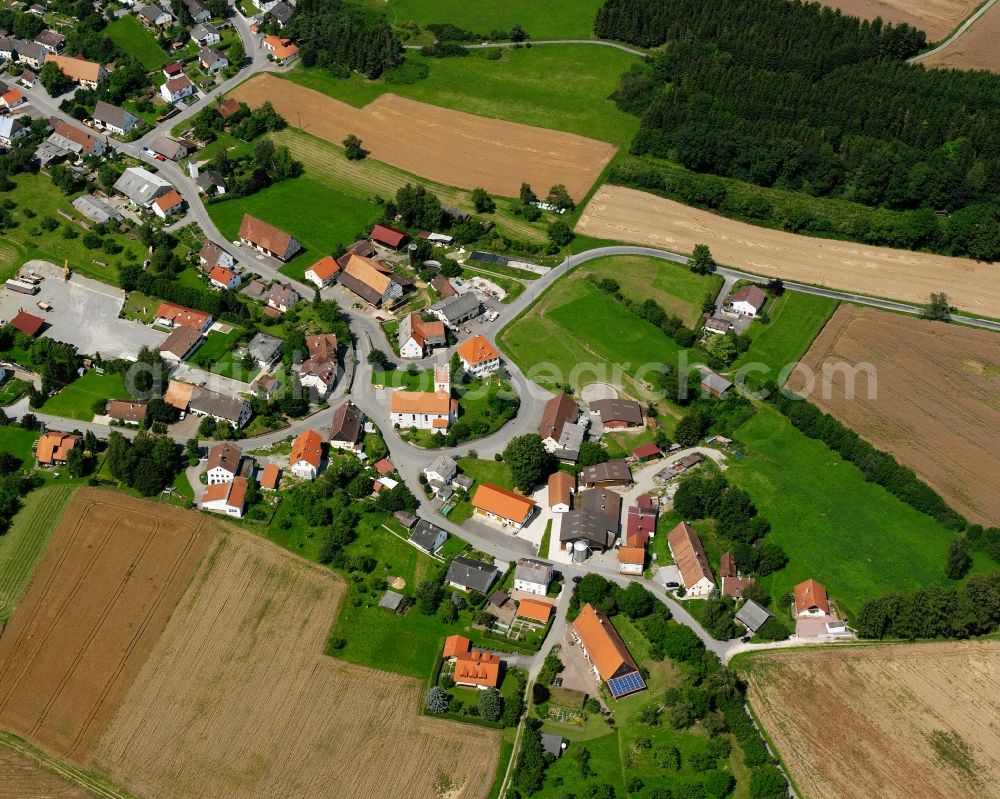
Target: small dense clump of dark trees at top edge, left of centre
344, 38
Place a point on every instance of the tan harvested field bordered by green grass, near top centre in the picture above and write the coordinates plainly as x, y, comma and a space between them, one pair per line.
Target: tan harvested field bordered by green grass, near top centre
440, 144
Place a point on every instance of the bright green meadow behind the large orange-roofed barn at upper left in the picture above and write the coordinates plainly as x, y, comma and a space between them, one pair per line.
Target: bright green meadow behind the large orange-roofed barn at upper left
321, 219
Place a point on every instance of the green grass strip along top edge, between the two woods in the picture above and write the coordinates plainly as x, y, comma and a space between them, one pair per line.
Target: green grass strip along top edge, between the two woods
556, 19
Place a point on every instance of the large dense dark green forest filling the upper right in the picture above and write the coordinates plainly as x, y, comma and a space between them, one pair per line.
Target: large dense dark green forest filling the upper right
799, 97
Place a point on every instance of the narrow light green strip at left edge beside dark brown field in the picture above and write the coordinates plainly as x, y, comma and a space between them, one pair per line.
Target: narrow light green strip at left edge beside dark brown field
22, 547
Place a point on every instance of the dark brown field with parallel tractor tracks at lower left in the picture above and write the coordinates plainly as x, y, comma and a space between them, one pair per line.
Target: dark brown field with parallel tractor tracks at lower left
97, 603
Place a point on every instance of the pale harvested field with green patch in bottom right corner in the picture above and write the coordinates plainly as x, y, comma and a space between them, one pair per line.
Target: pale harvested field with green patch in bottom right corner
894, 722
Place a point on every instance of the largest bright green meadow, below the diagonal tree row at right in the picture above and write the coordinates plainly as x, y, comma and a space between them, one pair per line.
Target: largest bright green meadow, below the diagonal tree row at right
851, 535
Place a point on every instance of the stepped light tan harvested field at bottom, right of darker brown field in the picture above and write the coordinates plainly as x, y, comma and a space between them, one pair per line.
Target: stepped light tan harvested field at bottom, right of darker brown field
237, 700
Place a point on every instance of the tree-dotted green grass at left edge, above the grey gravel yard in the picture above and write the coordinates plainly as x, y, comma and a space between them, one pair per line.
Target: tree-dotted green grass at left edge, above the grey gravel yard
28, 239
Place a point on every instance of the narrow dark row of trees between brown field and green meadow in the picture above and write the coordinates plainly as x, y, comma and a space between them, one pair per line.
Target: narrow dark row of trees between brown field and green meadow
877, 466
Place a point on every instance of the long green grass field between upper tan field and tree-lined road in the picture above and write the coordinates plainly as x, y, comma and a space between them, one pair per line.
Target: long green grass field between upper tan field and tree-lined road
560, 87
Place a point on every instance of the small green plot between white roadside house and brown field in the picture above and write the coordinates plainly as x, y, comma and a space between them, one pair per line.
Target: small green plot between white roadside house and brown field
796, 319
